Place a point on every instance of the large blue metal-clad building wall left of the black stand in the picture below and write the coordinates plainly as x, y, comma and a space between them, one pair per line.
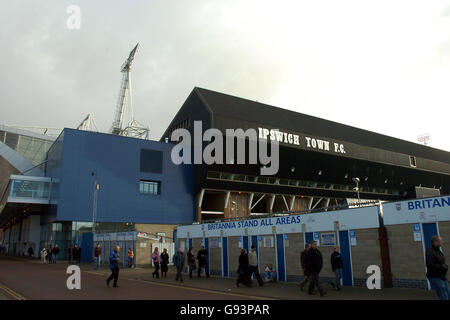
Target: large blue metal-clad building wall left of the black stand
80, 158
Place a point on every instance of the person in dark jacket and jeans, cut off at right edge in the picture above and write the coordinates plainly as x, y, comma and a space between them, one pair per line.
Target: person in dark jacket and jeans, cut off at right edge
437, 269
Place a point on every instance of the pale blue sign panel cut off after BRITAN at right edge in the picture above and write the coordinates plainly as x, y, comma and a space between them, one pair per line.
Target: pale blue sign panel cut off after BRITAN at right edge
417, 211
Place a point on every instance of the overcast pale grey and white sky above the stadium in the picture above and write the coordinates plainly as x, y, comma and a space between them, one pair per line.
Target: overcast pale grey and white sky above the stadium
378, 65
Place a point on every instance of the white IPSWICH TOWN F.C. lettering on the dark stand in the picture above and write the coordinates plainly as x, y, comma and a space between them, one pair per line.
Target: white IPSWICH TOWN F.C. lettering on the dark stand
291, 138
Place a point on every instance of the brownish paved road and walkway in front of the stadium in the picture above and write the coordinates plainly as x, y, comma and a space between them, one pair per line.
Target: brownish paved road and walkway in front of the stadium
137, 283
